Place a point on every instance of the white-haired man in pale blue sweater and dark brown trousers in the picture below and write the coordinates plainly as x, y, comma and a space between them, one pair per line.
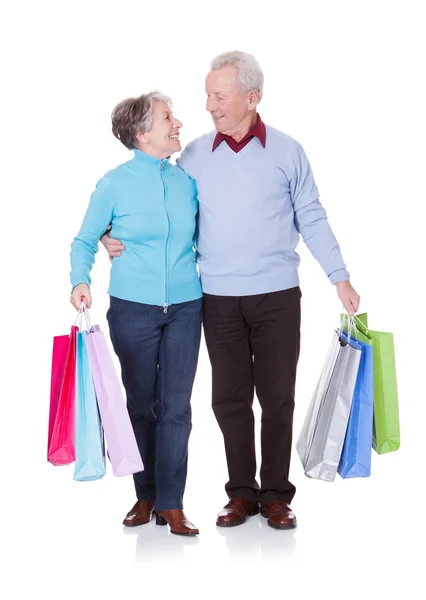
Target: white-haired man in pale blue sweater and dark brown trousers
256, 195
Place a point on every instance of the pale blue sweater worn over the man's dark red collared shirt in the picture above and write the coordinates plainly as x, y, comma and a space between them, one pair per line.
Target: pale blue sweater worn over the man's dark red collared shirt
252, 207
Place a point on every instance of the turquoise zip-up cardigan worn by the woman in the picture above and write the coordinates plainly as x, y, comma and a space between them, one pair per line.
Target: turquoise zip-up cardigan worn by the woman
152, 206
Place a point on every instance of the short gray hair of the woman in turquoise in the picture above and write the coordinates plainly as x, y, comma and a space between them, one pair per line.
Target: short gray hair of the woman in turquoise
133, 117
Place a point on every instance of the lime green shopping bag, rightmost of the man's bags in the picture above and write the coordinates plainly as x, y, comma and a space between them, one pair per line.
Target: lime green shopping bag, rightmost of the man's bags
386, 437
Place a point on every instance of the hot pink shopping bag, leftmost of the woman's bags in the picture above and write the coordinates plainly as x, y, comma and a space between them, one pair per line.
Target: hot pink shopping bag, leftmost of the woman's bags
60, 445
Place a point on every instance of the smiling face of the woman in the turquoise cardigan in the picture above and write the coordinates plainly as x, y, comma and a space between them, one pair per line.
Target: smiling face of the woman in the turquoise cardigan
163, 139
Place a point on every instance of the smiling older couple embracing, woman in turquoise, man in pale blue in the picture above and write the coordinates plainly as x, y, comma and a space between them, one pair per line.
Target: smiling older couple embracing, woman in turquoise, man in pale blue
235, 204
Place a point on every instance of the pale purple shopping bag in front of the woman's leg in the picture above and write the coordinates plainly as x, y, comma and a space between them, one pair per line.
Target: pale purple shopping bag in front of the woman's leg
123, 451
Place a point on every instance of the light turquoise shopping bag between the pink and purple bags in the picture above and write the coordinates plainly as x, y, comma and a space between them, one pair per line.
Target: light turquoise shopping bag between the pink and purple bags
89, 443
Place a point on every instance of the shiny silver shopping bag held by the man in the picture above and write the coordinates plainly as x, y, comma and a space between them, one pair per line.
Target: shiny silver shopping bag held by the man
323, 433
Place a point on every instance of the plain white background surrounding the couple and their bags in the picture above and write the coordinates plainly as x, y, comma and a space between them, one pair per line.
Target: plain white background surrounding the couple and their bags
346, 80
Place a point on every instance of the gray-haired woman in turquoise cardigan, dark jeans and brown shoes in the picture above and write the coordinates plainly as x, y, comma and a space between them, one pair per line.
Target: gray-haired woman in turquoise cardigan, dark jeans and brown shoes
155, 309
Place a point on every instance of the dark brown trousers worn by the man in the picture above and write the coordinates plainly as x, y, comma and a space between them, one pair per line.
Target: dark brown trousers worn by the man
253, 343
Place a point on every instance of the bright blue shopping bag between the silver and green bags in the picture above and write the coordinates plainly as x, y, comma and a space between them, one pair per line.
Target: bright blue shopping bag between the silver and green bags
355, 460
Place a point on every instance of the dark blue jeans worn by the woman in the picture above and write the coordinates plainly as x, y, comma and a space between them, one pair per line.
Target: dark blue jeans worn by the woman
158, 354
